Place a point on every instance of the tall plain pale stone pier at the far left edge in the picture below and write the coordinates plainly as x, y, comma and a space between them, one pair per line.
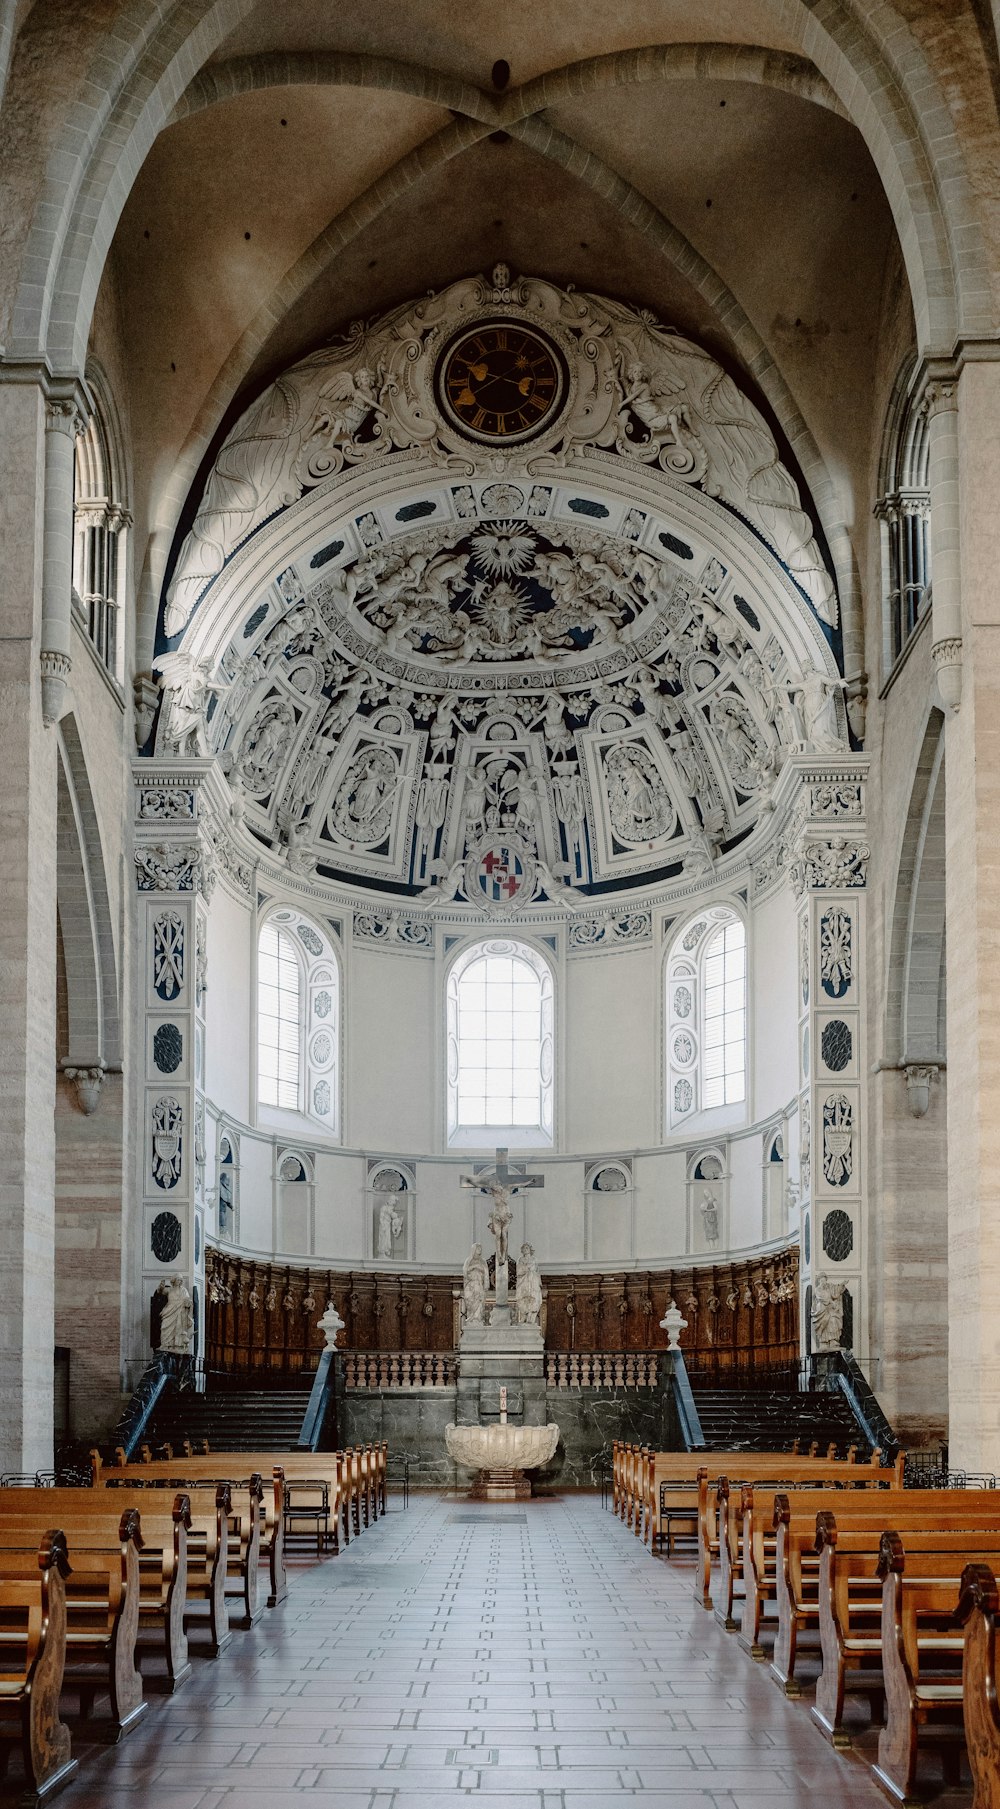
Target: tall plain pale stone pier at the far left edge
28, 947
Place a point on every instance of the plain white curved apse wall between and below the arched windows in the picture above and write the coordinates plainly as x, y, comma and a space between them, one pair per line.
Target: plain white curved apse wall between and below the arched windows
608, 1106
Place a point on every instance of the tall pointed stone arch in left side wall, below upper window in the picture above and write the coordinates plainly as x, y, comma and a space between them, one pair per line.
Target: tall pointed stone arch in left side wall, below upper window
84, 913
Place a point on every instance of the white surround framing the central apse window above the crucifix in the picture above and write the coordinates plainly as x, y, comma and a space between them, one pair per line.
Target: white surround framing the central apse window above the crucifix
540, 1135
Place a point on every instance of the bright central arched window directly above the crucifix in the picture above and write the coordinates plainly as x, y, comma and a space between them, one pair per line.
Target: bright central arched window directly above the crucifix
500, 1047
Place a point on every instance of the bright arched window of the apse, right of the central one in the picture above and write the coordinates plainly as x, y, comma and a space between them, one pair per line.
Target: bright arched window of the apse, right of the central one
706, 1014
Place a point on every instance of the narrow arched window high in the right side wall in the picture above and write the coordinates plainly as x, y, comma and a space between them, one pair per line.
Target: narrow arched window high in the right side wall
905, 513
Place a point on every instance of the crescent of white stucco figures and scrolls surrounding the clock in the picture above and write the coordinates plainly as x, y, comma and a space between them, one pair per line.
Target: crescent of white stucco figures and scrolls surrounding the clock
636, 390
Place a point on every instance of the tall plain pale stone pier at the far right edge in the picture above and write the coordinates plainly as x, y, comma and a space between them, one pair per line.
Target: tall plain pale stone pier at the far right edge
974, 938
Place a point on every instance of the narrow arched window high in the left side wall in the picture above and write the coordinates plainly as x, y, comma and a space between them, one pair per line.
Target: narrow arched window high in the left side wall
102, 527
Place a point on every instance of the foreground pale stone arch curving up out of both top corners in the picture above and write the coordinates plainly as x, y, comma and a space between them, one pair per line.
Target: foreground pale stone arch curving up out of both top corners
892, 97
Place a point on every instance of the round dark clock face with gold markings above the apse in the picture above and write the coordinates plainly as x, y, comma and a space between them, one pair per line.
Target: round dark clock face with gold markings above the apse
502, 383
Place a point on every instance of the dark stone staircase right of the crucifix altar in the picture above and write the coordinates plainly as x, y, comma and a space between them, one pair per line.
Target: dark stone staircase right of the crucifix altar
748, 1421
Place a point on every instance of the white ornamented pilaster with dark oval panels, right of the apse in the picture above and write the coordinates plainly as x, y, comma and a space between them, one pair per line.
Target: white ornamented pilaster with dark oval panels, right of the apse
829, 875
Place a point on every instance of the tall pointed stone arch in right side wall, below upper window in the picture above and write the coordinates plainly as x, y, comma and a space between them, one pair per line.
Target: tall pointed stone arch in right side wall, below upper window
916, 999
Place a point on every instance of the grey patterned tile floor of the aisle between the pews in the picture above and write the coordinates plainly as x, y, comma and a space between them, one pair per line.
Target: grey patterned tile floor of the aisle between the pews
534, 1658
